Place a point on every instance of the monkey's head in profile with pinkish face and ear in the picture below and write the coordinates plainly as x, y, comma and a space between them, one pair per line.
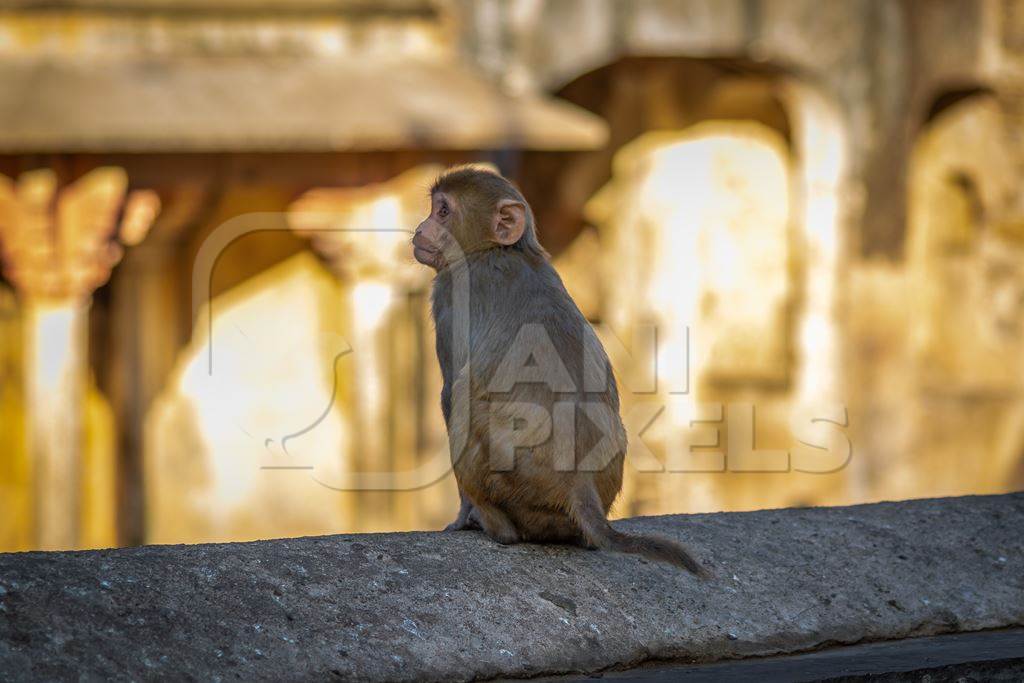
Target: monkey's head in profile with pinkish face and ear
474, 211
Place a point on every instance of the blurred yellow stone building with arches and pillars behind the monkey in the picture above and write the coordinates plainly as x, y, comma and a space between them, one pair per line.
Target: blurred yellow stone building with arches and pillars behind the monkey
815, 203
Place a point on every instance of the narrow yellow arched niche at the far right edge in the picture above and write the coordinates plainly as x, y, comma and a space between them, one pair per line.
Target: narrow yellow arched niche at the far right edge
965, 274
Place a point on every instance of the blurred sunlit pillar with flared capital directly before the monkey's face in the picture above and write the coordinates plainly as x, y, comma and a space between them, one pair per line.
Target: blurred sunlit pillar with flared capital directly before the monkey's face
364, 235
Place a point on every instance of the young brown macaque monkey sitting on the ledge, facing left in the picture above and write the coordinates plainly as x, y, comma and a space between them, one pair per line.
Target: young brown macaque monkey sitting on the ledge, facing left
529, 397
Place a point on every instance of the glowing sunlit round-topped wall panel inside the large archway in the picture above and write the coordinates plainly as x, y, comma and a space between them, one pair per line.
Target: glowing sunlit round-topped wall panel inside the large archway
698, 223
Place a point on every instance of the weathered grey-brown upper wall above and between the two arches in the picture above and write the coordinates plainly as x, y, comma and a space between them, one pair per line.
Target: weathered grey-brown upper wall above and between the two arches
884, 65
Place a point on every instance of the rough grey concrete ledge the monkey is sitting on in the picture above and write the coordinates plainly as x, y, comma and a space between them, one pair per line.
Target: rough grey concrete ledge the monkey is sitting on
456, 607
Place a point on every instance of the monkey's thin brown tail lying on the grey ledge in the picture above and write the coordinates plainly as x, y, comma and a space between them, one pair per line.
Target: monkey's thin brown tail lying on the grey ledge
587, 510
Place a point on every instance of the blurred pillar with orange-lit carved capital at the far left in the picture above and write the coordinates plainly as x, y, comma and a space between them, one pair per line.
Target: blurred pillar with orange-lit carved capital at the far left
59, 245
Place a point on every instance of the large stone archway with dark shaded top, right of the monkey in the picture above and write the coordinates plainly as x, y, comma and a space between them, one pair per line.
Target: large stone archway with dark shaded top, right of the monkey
775, 134
